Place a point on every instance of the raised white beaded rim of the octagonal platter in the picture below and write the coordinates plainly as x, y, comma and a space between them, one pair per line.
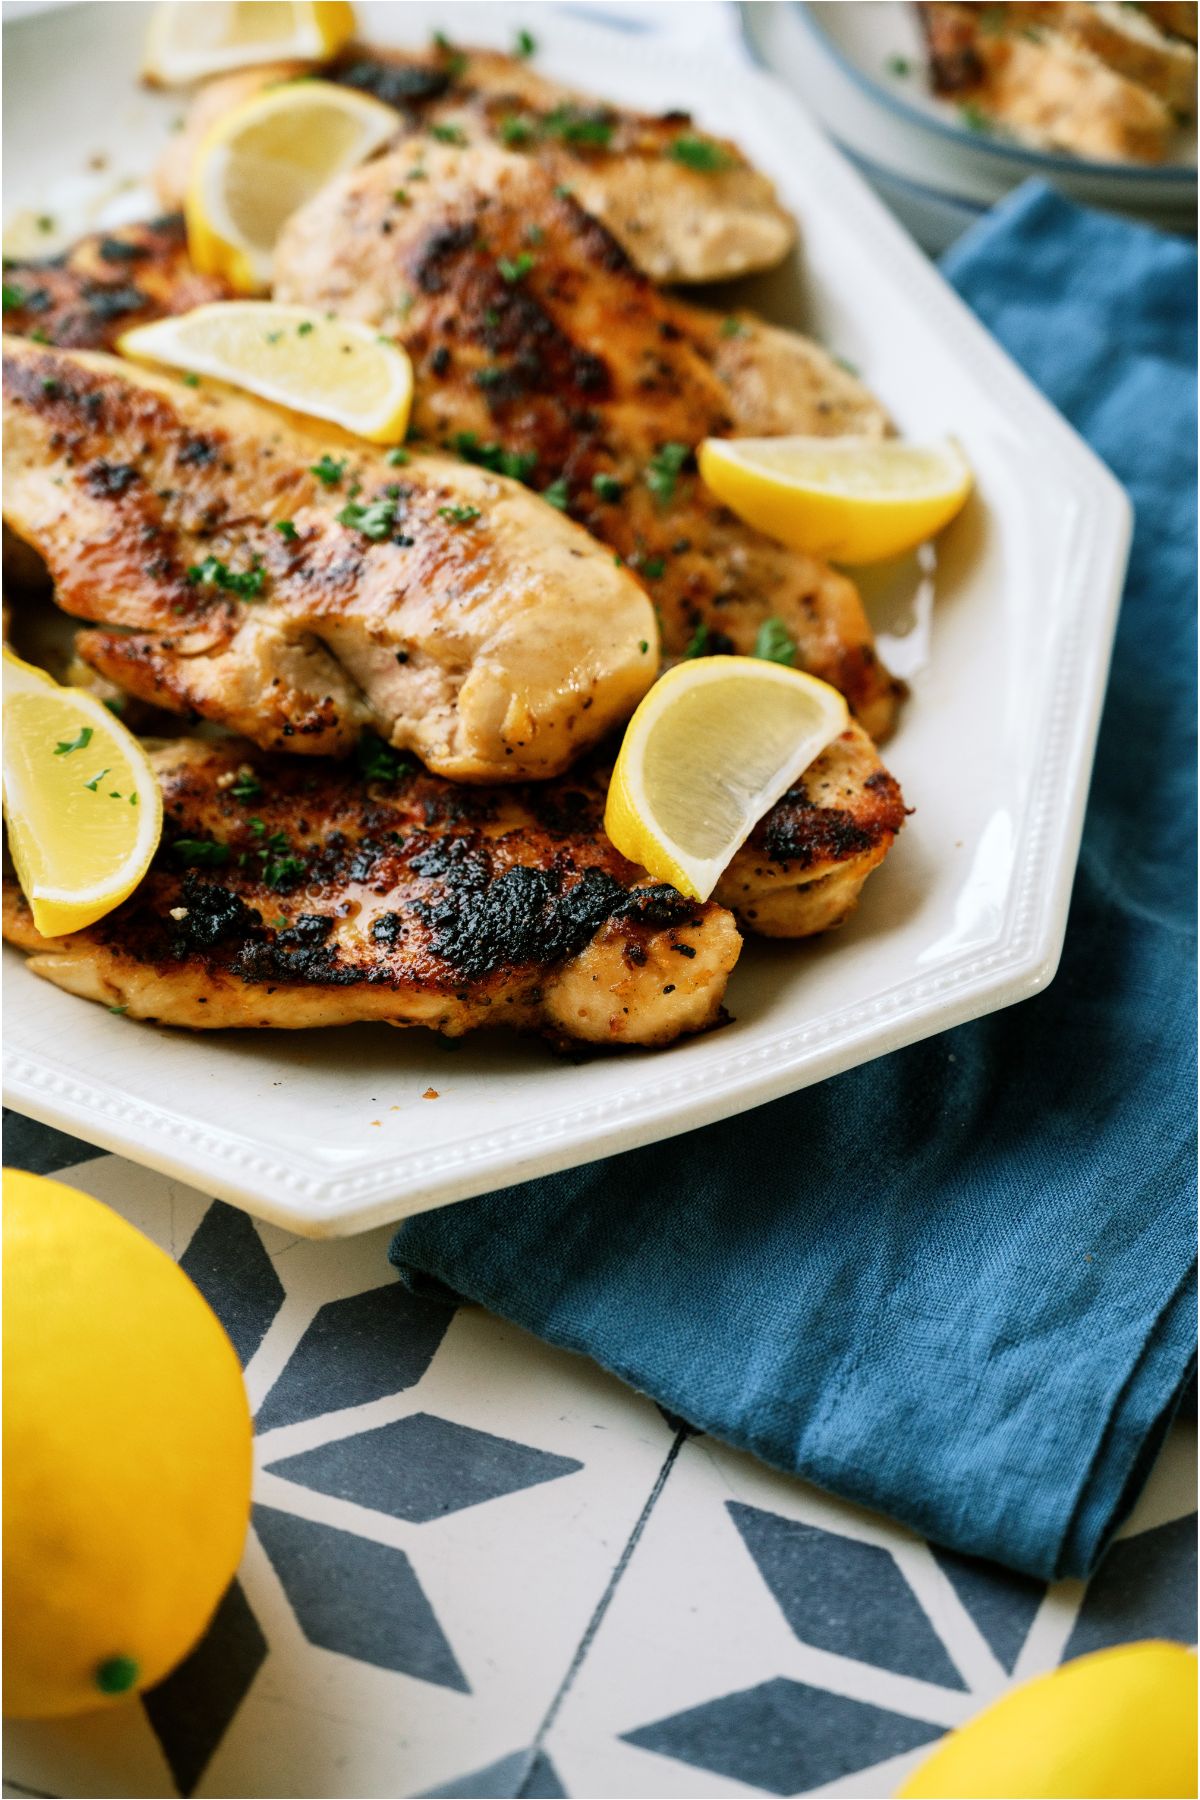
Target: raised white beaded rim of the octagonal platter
285, 1189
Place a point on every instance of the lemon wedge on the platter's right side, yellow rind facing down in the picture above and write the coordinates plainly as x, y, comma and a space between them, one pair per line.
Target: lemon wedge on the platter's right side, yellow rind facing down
850, 499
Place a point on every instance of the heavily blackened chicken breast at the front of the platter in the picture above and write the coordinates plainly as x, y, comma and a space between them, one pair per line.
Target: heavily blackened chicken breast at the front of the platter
292, 894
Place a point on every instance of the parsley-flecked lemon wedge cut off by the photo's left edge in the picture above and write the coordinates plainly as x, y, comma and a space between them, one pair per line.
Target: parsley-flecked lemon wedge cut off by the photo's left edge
80, 798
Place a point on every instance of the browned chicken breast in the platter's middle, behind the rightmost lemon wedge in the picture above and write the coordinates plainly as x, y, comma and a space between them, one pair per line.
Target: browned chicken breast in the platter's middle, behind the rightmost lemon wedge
541, 350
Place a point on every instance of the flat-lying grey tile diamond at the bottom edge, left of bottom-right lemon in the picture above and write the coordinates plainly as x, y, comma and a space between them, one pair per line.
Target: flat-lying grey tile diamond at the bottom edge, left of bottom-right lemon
784, 1736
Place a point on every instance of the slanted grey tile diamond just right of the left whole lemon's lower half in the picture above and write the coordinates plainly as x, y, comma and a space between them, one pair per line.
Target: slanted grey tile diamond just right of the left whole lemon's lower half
357, 1597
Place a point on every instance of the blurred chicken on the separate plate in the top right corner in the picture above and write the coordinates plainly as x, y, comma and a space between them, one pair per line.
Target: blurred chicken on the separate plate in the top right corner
1062, 76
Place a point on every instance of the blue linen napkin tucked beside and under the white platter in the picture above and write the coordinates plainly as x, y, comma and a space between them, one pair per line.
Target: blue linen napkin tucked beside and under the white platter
969, 1302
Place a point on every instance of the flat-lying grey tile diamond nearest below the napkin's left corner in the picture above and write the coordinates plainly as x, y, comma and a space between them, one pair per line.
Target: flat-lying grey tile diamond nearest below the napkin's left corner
422, 1468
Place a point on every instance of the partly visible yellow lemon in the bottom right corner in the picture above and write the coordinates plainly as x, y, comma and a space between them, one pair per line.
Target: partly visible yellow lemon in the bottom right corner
1118, 1725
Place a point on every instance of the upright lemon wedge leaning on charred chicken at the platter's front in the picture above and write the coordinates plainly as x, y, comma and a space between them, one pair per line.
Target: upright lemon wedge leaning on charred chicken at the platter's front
708, 751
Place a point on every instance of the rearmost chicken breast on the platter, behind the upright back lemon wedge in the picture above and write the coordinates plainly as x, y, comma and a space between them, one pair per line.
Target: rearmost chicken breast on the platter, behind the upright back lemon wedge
686, 206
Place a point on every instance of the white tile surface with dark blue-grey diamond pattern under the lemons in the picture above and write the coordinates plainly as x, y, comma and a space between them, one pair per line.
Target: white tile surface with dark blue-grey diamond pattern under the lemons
481, 1567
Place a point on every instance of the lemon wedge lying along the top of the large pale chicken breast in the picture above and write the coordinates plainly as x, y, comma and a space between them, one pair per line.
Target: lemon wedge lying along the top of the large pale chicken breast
328, 368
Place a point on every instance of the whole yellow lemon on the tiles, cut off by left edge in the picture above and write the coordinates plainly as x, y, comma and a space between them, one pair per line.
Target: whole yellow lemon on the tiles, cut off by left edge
127, 1455
